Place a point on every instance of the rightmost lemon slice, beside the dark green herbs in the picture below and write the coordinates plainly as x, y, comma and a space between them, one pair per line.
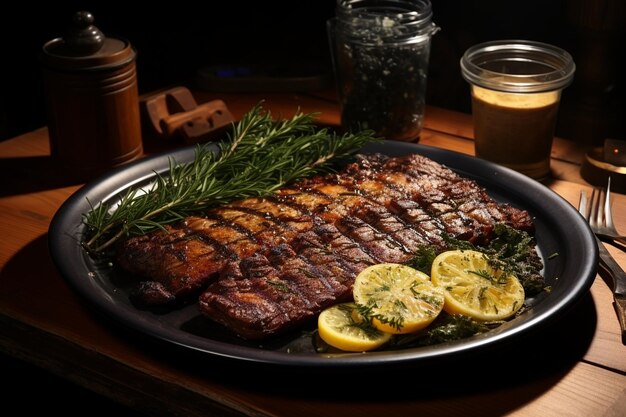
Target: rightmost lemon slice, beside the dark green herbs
476, 287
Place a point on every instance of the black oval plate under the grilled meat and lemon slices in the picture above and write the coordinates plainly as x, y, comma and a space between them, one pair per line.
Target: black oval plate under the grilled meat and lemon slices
559, 230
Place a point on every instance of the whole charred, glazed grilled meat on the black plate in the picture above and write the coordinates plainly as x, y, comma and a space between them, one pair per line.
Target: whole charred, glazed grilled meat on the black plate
262, 266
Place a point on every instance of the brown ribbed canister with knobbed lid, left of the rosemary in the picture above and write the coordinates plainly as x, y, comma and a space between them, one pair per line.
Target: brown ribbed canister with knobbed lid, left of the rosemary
92, 98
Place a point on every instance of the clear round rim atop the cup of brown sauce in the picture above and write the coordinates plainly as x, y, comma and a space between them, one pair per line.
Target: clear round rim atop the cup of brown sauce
518, 66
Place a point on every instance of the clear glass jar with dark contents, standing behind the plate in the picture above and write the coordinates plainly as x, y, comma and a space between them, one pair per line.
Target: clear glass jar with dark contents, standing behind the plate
380, 51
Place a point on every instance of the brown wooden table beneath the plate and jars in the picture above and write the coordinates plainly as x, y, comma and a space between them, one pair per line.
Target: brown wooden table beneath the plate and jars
576, 367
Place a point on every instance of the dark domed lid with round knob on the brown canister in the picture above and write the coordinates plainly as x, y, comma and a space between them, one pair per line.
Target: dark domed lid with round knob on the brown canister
85, 47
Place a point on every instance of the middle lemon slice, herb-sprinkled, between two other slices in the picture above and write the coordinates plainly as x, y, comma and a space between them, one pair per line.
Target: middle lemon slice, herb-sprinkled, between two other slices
399, 299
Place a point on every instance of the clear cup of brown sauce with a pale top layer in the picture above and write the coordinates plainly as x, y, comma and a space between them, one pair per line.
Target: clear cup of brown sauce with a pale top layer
516, 89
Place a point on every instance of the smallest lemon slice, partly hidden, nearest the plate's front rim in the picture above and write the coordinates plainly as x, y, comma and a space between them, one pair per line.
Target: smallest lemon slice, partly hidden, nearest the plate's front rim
343, 327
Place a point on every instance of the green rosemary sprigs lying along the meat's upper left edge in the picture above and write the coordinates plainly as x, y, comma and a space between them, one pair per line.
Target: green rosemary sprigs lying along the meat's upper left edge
259, 156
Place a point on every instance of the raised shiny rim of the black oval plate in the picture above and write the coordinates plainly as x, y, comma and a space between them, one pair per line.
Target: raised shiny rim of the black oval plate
66, 225
